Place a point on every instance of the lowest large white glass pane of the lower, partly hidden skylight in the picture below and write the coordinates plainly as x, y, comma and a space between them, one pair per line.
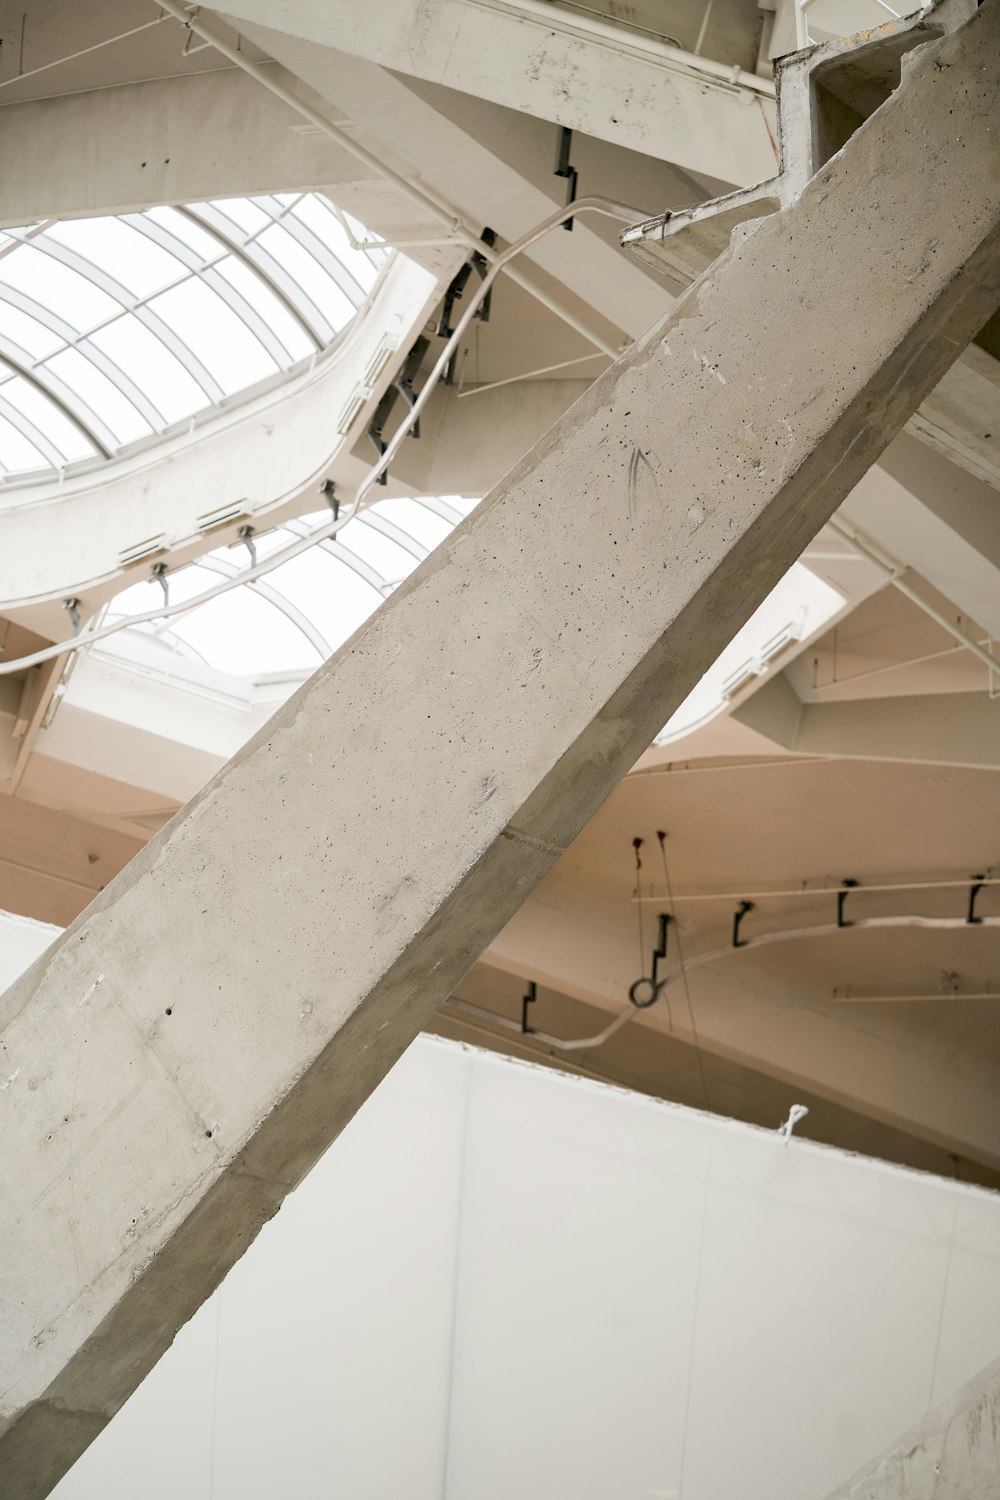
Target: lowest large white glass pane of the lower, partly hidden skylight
245, 635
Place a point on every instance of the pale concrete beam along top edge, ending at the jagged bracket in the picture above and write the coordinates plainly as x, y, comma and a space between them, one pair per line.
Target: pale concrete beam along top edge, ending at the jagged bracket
558, 65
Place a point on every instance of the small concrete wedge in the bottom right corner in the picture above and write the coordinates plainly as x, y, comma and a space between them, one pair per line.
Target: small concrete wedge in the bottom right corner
951, 1456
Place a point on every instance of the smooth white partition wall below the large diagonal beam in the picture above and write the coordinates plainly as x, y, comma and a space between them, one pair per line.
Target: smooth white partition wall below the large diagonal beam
507, 1283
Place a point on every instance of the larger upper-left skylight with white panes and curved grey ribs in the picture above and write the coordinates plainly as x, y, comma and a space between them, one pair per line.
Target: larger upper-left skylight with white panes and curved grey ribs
115, 329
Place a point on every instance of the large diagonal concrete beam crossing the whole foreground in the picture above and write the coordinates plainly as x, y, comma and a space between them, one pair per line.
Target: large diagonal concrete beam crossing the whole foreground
185, 1052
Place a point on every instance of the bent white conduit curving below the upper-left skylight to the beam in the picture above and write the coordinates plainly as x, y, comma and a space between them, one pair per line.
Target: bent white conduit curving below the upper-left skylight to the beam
591, 205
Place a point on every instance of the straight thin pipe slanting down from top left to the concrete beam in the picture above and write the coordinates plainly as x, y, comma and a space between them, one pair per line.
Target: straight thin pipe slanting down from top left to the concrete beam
422, 197
